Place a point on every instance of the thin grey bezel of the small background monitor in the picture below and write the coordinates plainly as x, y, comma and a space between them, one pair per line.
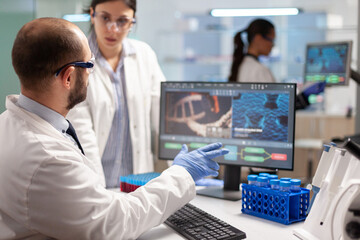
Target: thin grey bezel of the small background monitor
329, 43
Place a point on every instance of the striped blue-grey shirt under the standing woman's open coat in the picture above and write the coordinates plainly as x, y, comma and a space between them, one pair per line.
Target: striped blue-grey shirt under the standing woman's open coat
117, 158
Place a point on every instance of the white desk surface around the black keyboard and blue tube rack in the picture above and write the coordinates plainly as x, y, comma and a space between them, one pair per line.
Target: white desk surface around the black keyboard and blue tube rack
230, 212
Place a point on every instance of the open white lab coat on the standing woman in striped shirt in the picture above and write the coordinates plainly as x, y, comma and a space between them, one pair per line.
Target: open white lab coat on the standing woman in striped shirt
93, 118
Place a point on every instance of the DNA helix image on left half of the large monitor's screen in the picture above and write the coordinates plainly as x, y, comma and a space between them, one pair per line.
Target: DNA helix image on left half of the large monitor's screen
198, 114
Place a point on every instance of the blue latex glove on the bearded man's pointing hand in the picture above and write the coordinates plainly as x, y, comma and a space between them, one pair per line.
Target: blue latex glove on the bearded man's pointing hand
199, 162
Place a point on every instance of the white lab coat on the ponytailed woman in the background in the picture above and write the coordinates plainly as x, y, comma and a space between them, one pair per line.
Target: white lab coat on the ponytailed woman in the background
251, 70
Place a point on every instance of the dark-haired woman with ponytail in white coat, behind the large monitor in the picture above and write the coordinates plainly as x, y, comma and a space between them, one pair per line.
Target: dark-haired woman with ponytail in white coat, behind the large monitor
246, 66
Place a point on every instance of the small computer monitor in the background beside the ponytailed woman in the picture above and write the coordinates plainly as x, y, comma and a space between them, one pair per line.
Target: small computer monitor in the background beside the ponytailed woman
328, 61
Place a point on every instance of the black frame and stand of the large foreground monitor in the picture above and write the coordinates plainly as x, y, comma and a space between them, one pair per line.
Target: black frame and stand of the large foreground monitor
232, 174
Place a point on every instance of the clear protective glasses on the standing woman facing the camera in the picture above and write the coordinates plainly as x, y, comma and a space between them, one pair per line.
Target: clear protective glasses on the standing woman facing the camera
121, 23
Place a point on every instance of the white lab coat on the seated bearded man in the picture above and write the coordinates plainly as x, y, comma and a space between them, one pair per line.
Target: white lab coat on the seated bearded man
49, 189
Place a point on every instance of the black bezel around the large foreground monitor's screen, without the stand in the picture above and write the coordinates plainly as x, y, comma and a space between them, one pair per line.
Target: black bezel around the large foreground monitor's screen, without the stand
215, 83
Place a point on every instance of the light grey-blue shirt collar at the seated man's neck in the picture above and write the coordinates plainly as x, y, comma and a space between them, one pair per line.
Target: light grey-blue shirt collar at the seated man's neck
49, 115
